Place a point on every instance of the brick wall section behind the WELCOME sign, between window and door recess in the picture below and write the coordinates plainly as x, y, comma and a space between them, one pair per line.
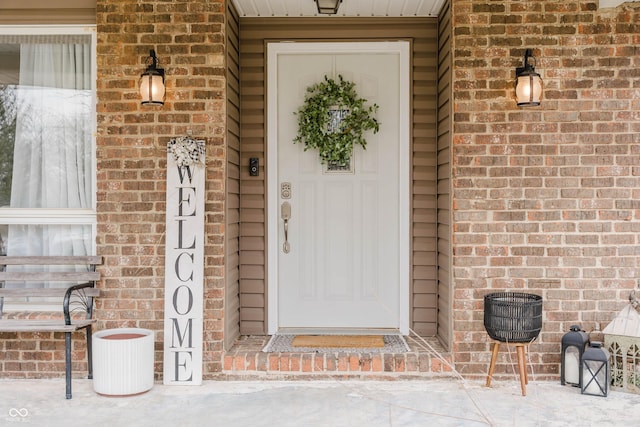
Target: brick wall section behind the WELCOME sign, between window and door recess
188, 39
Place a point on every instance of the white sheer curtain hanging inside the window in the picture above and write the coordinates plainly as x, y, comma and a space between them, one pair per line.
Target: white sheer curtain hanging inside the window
52, 154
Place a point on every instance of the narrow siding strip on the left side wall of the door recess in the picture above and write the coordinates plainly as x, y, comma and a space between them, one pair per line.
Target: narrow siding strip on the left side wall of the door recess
232, 235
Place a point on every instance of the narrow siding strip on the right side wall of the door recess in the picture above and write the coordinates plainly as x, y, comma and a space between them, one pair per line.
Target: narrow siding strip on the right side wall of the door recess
445, 286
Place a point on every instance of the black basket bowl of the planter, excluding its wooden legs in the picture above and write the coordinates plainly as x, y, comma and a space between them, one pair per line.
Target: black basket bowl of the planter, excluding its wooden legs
513, 316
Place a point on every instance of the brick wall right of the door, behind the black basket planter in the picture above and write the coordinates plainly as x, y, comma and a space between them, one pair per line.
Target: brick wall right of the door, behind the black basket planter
546, 199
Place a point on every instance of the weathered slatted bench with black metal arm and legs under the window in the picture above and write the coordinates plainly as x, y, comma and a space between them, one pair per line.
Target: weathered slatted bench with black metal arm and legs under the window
76, 299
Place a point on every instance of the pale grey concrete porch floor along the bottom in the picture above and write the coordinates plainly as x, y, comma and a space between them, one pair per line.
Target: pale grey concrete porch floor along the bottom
335, 403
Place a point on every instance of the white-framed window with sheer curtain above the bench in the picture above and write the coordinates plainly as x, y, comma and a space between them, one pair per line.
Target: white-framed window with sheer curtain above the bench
47, 143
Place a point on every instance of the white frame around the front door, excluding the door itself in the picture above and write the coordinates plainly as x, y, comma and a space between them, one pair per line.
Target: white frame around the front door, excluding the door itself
274, 49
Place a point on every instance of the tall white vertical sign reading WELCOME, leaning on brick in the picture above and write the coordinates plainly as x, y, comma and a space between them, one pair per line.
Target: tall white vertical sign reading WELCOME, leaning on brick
184, 262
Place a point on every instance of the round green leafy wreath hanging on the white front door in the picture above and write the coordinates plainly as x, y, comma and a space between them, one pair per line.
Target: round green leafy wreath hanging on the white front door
318, 127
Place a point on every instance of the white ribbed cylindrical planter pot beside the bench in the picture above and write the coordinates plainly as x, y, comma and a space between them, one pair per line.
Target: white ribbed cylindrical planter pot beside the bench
123, 361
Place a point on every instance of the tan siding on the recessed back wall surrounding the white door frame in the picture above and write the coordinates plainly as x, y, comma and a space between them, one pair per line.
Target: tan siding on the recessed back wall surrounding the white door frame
422, 32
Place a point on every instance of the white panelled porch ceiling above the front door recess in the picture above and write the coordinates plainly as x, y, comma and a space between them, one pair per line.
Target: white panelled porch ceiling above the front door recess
352, 8
